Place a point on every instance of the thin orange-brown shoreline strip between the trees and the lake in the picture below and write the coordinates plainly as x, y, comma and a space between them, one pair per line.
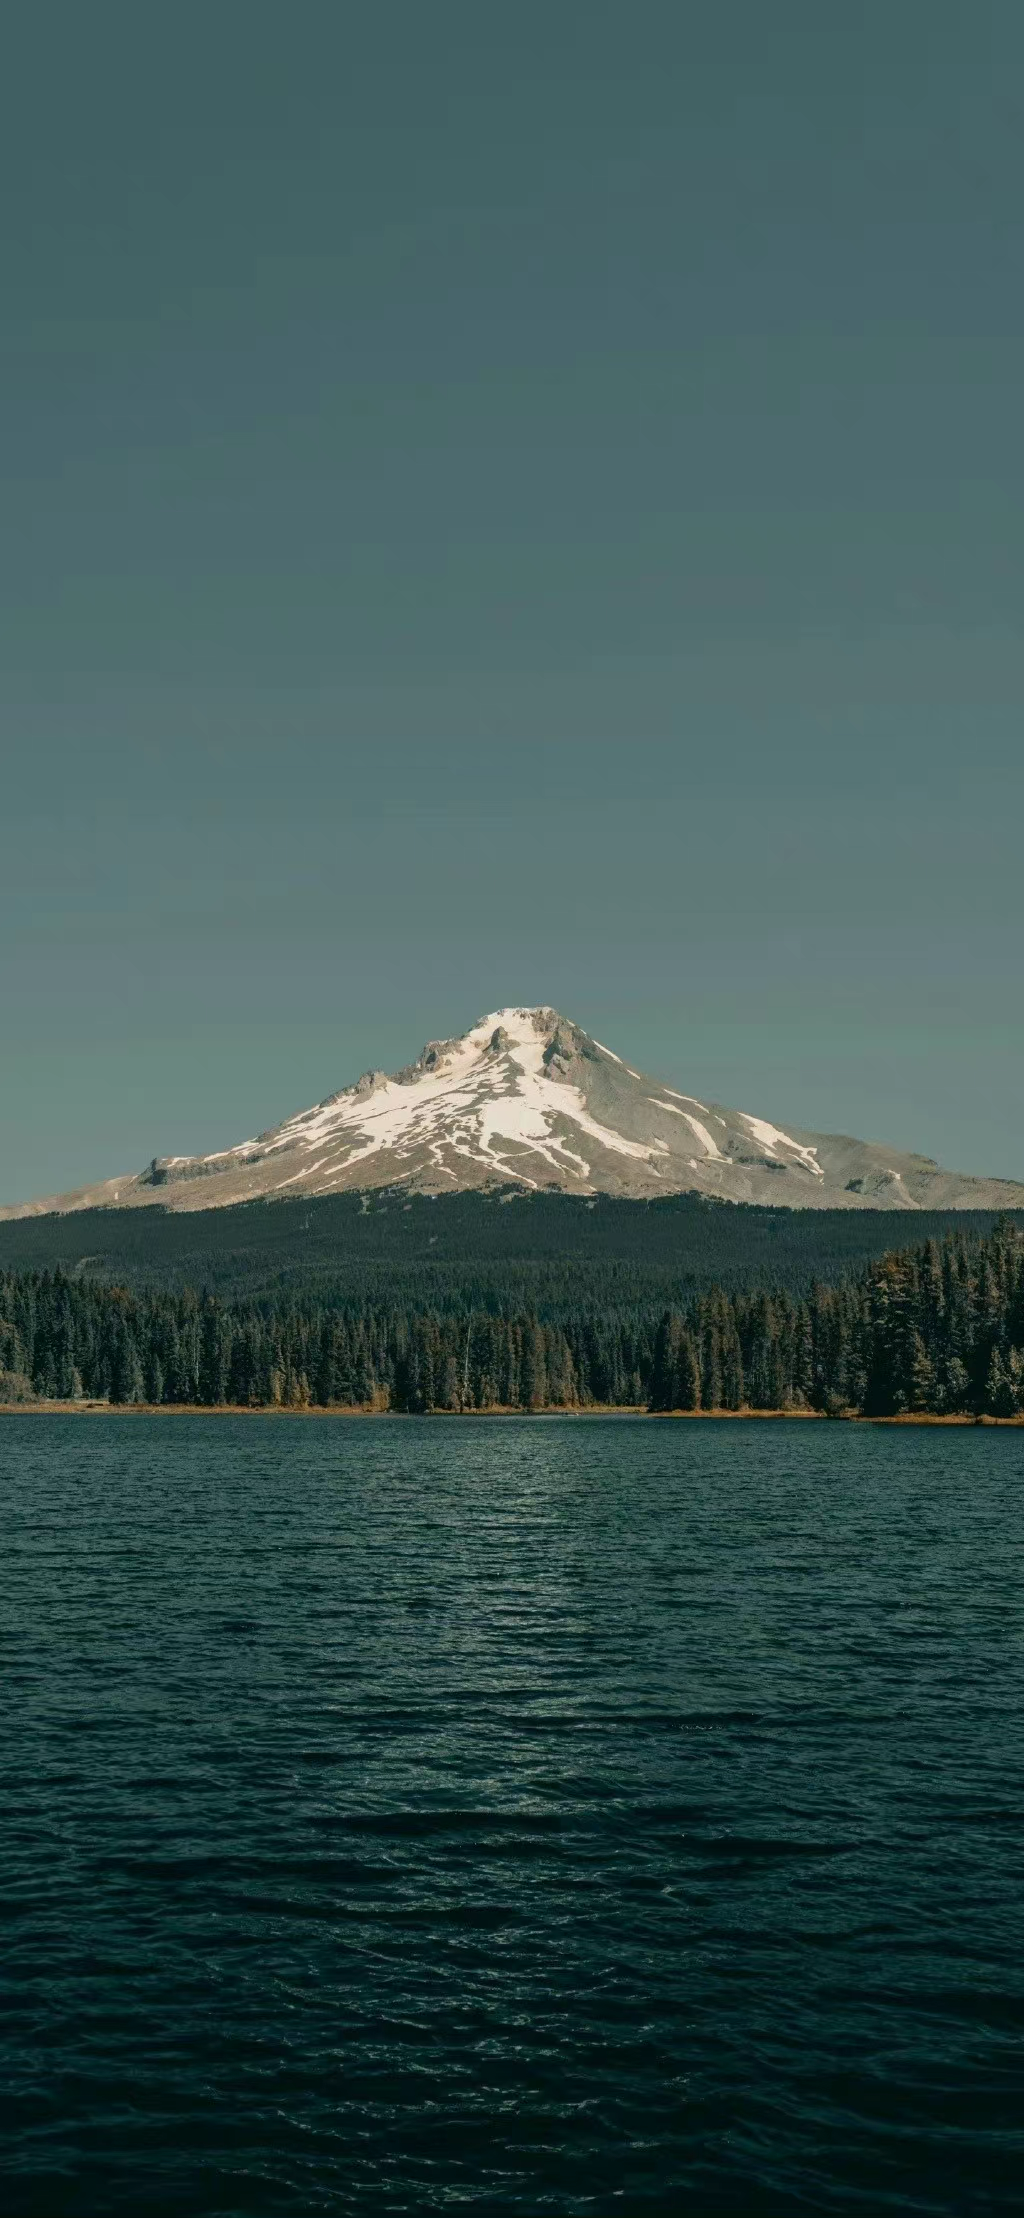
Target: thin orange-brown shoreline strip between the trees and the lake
595, 1410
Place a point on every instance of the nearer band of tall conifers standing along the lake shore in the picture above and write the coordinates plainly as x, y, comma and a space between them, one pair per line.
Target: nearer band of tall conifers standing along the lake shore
932, 1330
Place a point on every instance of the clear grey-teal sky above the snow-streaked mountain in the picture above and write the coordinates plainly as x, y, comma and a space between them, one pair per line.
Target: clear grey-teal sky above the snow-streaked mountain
511, 505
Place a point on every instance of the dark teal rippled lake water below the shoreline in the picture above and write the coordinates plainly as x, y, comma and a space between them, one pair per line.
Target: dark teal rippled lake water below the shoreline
511, 1818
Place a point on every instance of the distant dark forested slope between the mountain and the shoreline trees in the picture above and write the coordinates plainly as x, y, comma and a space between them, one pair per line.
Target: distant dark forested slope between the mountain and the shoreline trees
495, 1250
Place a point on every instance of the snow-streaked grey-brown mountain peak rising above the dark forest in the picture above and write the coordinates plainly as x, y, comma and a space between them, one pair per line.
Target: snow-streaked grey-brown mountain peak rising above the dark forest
529, 1101
